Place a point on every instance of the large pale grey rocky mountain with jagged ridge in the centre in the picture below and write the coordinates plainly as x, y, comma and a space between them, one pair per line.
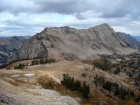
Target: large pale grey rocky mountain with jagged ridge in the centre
70, 43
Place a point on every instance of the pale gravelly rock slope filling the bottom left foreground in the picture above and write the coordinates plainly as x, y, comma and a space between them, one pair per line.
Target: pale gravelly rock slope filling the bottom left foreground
13, 95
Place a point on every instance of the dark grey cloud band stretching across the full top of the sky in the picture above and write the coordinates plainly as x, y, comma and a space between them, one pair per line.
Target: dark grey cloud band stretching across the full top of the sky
109, 8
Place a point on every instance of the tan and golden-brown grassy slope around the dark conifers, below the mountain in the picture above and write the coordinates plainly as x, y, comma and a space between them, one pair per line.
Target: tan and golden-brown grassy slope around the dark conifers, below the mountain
47, 76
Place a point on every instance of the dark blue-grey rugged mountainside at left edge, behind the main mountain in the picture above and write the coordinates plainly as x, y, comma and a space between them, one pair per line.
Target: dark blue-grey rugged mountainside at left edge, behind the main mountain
8, 47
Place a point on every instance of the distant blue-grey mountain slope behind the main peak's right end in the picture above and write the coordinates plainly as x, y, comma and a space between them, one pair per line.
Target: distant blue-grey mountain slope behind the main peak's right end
130, 40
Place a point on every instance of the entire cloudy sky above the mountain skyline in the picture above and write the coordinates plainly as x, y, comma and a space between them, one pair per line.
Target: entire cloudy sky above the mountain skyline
28, 17
